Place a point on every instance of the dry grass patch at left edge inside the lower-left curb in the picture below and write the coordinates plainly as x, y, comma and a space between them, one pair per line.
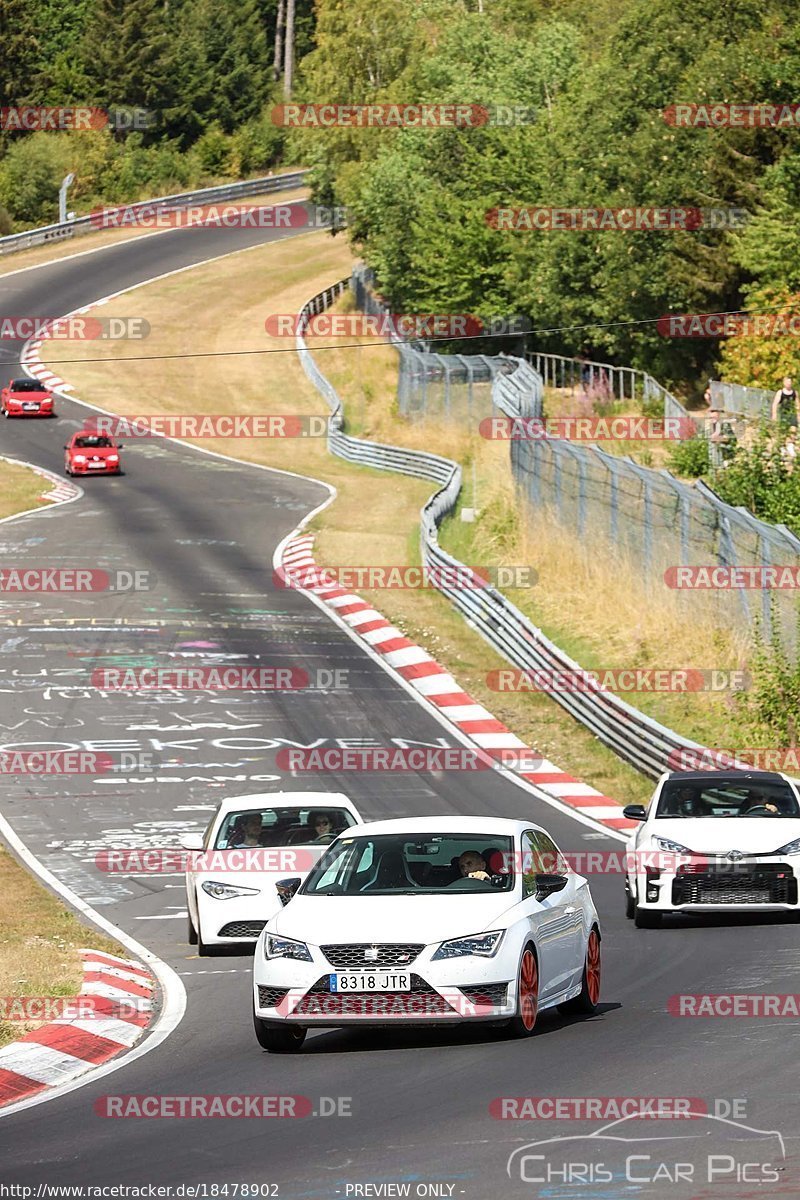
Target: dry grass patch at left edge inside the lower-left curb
39, 944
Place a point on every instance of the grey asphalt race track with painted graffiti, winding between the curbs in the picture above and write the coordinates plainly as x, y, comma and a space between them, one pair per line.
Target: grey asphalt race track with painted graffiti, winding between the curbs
419, 1101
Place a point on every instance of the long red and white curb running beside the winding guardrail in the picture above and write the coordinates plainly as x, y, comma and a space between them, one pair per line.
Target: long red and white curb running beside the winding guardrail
440, 688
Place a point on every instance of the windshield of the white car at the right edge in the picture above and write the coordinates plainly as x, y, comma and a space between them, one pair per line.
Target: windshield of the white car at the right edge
751, 799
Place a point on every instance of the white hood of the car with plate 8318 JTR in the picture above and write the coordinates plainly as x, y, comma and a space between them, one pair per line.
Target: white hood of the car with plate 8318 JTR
377, 920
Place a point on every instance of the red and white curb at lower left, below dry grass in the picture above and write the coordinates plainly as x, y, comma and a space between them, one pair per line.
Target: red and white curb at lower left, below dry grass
64, 1049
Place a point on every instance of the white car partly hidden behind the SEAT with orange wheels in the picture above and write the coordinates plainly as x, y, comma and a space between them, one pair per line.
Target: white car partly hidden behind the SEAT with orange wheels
252, 843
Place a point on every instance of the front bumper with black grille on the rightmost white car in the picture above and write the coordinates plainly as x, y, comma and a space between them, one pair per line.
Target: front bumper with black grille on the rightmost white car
765, 884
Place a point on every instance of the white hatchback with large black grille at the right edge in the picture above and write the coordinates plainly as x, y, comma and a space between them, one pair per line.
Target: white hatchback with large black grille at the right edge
712, 842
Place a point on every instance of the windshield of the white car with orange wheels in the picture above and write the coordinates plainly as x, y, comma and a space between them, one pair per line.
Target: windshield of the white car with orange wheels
402, 865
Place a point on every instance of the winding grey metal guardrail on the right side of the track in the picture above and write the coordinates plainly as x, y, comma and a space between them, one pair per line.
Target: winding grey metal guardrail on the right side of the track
635, 737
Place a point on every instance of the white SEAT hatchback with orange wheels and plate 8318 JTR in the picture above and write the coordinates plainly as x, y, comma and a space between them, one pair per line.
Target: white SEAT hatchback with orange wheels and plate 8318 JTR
429, 921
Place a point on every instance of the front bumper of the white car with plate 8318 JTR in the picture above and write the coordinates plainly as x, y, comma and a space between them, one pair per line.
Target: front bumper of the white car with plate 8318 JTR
447, 992
